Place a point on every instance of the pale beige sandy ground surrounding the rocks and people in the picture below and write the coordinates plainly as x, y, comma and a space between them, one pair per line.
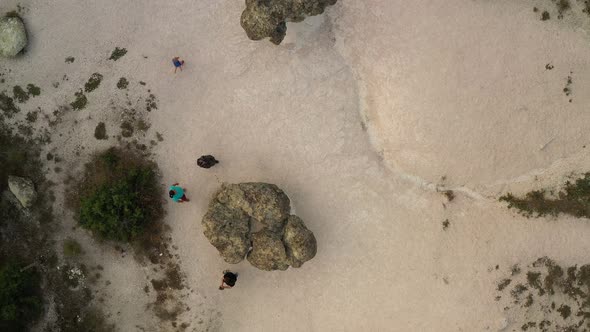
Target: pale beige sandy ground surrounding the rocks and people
445, 89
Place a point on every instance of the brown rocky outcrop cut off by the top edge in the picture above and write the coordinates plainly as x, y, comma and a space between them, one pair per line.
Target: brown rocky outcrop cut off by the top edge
268, 18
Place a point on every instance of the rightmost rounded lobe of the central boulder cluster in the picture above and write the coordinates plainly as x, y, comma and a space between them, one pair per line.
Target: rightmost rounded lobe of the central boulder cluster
300, 243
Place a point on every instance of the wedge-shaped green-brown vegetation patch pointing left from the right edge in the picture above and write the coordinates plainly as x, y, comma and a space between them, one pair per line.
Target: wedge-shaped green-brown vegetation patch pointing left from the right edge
574, 199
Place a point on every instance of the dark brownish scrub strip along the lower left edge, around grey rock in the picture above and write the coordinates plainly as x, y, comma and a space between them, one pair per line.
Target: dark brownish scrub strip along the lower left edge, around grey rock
30, 246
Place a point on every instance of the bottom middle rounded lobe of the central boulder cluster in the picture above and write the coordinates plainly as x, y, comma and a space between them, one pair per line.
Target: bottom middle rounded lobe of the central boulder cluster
268, 251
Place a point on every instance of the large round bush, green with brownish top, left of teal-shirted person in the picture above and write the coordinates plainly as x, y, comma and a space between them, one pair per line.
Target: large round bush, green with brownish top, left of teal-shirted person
119, 195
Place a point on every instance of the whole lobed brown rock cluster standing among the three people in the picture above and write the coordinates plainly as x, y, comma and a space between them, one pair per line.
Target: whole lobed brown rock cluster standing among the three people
236, 209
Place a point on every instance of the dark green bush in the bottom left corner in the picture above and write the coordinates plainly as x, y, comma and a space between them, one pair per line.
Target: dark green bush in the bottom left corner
19, 299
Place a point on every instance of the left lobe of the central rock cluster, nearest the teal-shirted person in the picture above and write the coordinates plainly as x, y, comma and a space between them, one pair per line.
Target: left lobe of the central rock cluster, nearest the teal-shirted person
228, 230
